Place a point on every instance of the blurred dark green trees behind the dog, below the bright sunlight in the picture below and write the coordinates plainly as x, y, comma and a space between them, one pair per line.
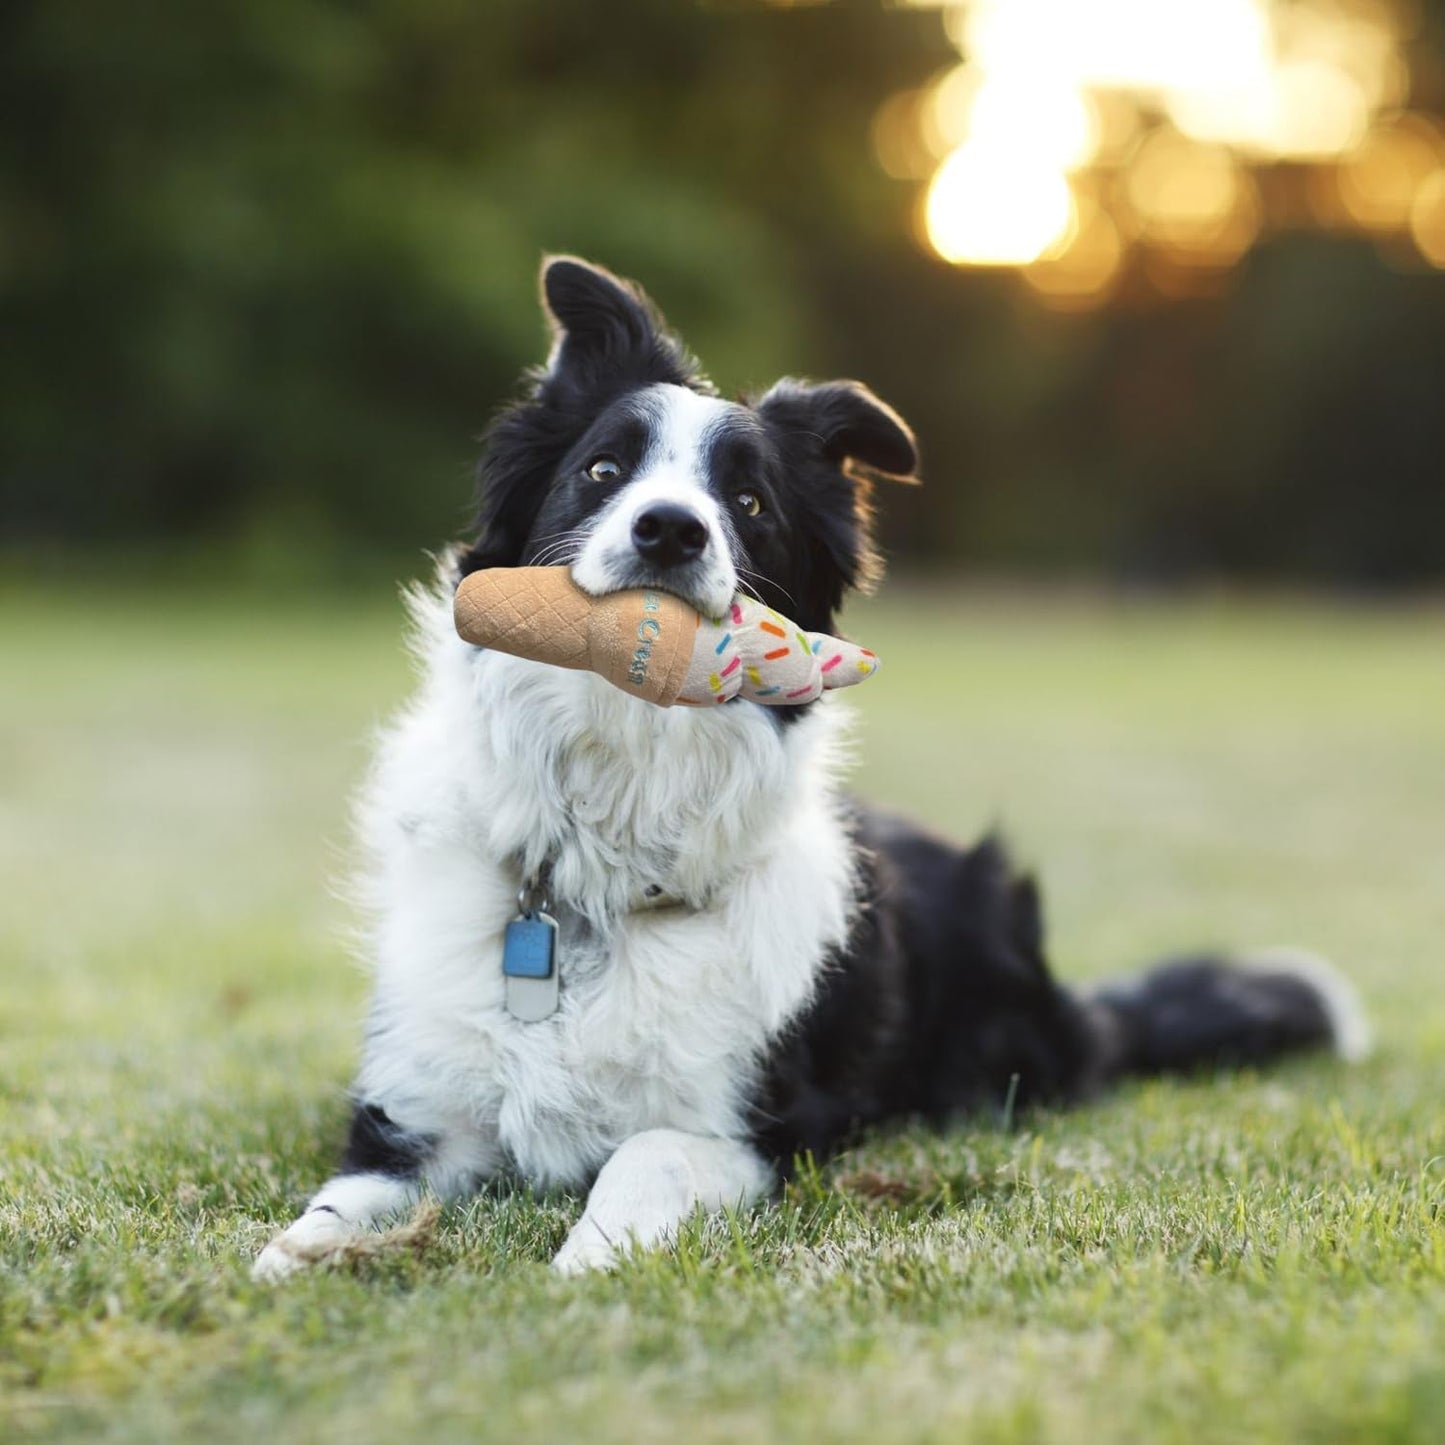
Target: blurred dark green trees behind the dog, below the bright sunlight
268, 268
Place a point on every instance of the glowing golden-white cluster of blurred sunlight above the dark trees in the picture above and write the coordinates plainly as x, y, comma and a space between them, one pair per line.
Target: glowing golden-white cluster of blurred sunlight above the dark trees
1080, 137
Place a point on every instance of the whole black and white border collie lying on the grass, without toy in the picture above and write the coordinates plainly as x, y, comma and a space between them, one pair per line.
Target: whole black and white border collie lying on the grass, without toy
751, 965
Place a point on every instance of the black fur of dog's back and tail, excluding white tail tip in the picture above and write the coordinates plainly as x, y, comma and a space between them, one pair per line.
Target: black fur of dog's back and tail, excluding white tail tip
943, 1005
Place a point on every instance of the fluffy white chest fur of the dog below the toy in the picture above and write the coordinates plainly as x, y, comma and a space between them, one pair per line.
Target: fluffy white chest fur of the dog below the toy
502, 767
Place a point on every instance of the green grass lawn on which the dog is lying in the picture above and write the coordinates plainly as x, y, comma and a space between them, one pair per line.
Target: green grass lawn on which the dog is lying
1256, 1258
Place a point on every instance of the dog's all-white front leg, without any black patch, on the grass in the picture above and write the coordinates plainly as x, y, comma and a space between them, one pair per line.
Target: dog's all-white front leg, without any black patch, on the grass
652, 1184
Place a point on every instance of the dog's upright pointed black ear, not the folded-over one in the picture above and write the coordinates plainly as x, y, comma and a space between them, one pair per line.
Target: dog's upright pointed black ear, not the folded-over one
606, 333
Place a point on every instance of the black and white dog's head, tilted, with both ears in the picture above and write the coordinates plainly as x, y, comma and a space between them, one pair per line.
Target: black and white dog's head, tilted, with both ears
624, 463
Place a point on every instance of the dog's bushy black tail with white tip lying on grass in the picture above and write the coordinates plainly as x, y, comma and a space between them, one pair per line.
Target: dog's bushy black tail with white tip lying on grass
1210, 1012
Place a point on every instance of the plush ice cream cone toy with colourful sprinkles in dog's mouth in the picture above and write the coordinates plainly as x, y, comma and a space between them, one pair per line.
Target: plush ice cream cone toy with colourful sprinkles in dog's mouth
654, 645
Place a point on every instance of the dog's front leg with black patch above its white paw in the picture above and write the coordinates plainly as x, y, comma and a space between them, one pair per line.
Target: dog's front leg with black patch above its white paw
384, 1170
